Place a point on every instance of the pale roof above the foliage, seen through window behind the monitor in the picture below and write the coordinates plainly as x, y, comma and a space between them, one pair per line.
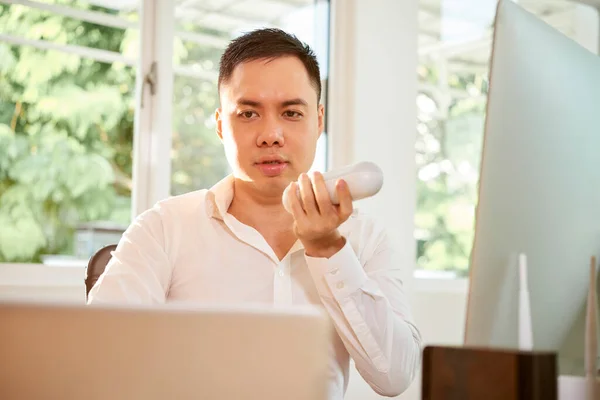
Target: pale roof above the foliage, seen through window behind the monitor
455, 38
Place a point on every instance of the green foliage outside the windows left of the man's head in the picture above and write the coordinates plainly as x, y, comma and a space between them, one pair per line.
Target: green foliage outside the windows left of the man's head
66, 129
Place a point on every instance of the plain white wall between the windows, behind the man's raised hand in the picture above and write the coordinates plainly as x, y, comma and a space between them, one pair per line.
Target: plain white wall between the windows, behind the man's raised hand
372, 116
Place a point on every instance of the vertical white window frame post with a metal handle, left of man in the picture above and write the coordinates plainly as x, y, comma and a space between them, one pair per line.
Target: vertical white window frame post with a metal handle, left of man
154, 106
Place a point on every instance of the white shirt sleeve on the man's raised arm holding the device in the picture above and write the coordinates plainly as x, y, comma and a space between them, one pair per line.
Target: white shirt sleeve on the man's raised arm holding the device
371, 314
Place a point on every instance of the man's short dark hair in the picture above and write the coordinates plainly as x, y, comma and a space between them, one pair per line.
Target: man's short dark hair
268, 43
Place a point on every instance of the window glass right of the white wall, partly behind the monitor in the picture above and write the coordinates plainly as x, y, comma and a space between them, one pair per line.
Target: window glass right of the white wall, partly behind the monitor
454, 50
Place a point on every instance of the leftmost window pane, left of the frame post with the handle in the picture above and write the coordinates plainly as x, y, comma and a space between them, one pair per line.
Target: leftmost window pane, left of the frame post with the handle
66, 128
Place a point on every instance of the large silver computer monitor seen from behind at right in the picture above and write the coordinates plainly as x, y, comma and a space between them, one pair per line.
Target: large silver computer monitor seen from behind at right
539, 189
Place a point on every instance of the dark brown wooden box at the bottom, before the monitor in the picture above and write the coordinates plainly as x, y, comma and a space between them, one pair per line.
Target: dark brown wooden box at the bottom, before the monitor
453, 373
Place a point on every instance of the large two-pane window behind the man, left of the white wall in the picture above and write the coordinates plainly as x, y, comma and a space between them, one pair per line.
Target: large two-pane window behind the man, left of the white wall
68, 74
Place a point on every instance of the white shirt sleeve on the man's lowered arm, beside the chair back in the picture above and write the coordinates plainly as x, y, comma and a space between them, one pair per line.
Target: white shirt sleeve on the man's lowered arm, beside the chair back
139, 271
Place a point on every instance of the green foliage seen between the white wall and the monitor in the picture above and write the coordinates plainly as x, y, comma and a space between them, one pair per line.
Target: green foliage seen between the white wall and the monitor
448, 156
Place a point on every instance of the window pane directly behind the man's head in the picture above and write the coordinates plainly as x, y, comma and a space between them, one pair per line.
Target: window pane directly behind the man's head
204, 29
